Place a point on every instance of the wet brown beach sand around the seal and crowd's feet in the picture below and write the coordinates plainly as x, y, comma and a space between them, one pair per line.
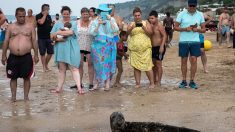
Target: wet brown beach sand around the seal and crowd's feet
211, 108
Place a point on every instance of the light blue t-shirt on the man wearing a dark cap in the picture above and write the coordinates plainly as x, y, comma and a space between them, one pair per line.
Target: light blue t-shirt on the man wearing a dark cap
186, 19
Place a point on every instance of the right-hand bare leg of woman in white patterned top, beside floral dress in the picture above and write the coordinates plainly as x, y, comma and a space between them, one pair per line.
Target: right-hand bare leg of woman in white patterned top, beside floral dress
90, 70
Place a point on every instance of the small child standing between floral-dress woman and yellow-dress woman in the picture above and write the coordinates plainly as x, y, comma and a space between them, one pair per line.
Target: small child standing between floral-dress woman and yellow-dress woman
120, 53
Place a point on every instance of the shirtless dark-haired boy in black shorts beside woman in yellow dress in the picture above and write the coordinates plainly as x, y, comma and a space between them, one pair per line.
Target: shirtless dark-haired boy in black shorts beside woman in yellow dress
158, 46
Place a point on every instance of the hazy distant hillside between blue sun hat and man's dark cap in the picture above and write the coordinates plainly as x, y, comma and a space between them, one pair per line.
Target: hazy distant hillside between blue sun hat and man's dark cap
125, 9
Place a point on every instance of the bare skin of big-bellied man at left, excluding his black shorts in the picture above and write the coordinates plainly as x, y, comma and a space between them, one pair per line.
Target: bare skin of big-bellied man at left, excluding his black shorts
20, 42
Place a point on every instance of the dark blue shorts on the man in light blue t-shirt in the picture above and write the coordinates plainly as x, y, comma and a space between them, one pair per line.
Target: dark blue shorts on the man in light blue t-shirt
189, 48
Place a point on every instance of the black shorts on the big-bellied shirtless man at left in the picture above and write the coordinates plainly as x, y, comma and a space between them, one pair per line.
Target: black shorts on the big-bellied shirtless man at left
19, 66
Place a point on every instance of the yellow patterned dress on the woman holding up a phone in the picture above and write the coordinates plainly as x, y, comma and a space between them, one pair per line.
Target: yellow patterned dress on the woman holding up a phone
140, 49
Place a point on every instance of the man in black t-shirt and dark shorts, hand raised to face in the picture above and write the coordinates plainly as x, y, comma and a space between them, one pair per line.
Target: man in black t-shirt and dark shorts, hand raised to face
44, 24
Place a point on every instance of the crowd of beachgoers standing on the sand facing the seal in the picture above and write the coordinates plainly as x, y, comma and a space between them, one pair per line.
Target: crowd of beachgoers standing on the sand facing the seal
99, 38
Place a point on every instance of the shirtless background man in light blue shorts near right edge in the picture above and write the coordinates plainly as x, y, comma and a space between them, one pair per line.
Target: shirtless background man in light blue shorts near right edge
224, 26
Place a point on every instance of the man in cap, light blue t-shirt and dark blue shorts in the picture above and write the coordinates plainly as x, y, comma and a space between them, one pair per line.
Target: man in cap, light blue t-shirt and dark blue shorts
187, 23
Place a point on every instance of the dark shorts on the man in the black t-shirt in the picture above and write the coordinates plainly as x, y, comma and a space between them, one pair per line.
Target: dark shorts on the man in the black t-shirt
44, 46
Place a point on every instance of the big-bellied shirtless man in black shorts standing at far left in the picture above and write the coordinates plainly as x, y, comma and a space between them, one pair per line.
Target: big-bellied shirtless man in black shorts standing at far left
20, 39
